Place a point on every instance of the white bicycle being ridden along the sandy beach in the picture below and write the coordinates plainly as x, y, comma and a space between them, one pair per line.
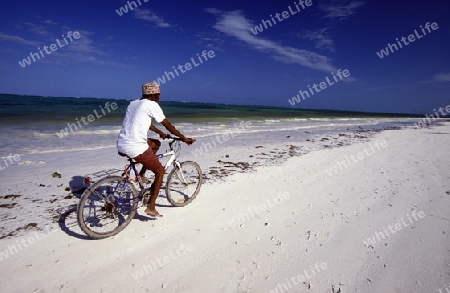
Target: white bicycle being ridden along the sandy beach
109, 205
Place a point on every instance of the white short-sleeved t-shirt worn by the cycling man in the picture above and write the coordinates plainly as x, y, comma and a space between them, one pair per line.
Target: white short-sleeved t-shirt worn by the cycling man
132, 139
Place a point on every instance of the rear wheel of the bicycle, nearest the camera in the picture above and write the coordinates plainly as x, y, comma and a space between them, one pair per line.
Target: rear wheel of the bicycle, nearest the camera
107, 207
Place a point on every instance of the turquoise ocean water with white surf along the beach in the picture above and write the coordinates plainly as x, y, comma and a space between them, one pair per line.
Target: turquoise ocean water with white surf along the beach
33, 124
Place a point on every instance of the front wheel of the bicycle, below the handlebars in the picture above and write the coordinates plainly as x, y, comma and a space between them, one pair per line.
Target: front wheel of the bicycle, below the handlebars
183, 183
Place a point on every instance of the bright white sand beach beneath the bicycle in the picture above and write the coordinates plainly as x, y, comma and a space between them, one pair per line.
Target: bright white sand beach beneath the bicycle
281, 221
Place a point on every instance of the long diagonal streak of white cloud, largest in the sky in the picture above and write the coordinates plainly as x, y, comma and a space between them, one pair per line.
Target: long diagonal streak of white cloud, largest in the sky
235, 24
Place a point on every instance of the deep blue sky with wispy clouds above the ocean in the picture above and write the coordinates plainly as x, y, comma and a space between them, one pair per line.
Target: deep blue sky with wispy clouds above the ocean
115, 55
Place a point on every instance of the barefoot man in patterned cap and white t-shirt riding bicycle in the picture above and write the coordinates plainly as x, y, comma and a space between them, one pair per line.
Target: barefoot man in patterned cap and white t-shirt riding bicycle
133, 142
